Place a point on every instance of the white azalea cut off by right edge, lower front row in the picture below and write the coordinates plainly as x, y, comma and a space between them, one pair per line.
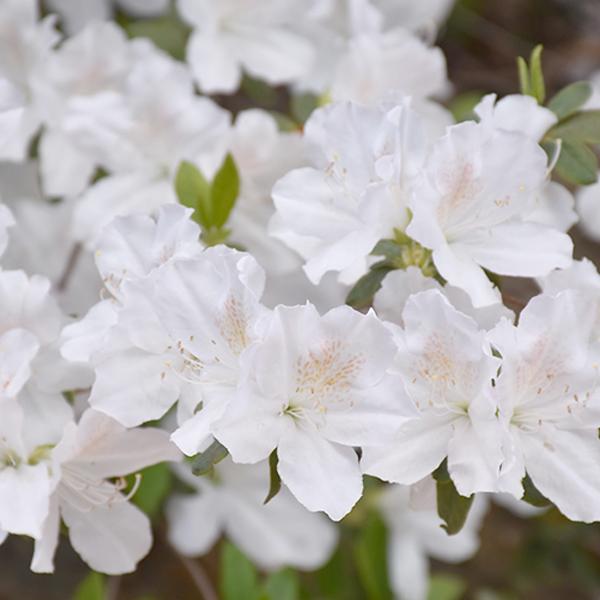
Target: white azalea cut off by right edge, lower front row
546, 400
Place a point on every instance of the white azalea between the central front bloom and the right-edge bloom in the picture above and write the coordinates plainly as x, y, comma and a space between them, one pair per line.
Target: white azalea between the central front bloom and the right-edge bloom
447, 368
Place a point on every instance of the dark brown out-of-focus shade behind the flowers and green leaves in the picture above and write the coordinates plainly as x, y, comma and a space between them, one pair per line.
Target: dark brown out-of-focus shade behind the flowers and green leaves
542, 558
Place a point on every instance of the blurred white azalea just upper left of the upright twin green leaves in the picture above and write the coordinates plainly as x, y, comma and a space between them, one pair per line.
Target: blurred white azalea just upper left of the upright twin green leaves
141, 136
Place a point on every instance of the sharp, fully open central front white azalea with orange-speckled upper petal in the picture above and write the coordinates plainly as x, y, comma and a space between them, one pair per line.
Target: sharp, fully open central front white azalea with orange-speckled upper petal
315, 387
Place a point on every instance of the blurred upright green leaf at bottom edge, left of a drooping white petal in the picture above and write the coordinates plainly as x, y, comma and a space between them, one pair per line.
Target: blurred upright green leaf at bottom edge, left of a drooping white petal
370, 555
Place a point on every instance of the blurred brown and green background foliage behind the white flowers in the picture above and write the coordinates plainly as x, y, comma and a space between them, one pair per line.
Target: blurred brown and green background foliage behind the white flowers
540, 558
